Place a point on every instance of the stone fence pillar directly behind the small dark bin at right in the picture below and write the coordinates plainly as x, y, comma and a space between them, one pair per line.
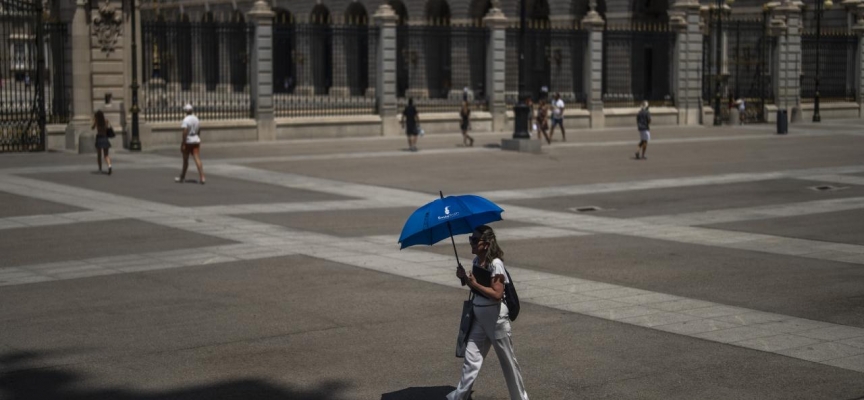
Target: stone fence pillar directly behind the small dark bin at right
786, 25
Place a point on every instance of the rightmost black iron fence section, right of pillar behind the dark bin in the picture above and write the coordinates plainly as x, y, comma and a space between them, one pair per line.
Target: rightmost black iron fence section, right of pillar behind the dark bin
837, 69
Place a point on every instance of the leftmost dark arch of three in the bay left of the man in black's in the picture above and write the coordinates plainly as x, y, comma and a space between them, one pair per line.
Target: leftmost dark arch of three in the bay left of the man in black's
284, 77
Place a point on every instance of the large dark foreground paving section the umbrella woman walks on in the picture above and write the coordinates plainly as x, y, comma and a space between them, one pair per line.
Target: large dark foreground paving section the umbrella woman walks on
296, 327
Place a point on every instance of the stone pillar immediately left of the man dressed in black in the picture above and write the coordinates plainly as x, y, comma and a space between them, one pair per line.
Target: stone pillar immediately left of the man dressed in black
385, 90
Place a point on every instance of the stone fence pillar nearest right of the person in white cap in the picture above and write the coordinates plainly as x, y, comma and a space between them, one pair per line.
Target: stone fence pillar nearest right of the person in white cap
262, 69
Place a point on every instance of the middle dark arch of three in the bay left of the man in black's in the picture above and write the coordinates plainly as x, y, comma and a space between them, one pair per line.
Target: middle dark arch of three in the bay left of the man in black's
322, 50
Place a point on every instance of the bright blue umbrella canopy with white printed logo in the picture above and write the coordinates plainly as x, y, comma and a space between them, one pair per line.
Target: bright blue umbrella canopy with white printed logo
447, 216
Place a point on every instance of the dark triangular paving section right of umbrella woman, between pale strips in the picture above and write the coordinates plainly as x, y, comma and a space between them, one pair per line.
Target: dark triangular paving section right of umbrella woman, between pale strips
784, 285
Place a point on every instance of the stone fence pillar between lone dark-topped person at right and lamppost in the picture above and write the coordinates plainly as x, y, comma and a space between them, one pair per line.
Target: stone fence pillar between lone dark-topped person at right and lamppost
687, 61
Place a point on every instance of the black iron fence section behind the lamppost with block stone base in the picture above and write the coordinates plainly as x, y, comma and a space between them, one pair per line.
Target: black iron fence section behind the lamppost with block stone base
554, 62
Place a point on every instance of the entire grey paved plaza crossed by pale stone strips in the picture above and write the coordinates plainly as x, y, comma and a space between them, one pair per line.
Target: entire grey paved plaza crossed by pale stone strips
728, 265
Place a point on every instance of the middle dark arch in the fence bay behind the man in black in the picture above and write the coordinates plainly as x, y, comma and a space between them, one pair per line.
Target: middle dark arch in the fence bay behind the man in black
438, 56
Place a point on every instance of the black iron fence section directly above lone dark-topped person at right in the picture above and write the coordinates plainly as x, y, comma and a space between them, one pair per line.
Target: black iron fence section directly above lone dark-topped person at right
637, 65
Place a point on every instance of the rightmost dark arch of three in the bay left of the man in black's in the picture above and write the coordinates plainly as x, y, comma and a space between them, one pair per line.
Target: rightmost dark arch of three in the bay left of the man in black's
357, 48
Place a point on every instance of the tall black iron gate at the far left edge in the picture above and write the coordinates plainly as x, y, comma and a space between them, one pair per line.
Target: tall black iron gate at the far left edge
22, 69
